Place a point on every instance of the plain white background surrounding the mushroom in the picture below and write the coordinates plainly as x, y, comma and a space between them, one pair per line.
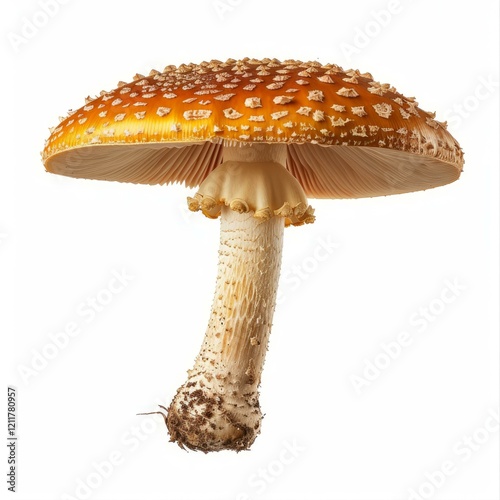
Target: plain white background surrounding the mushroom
431, 406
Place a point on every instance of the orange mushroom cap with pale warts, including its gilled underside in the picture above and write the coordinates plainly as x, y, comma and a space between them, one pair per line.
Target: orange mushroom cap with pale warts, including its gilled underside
347, 135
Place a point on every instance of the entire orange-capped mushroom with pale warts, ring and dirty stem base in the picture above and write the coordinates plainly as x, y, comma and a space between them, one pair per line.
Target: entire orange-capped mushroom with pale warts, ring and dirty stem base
258, 137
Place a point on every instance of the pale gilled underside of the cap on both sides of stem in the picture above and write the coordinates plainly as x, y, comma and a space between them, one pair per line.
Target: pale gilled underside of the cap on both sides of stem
323, 171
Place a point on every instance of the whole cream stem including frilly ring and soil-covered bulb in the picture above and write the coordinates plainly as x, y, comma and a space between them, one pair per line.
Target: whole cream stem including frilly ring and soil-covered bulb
256, 196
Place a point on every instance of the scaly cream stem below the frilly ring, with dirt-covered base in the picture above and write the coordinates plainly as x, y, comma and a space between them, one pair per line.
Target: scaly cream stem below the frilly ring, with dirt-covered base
218, 407
